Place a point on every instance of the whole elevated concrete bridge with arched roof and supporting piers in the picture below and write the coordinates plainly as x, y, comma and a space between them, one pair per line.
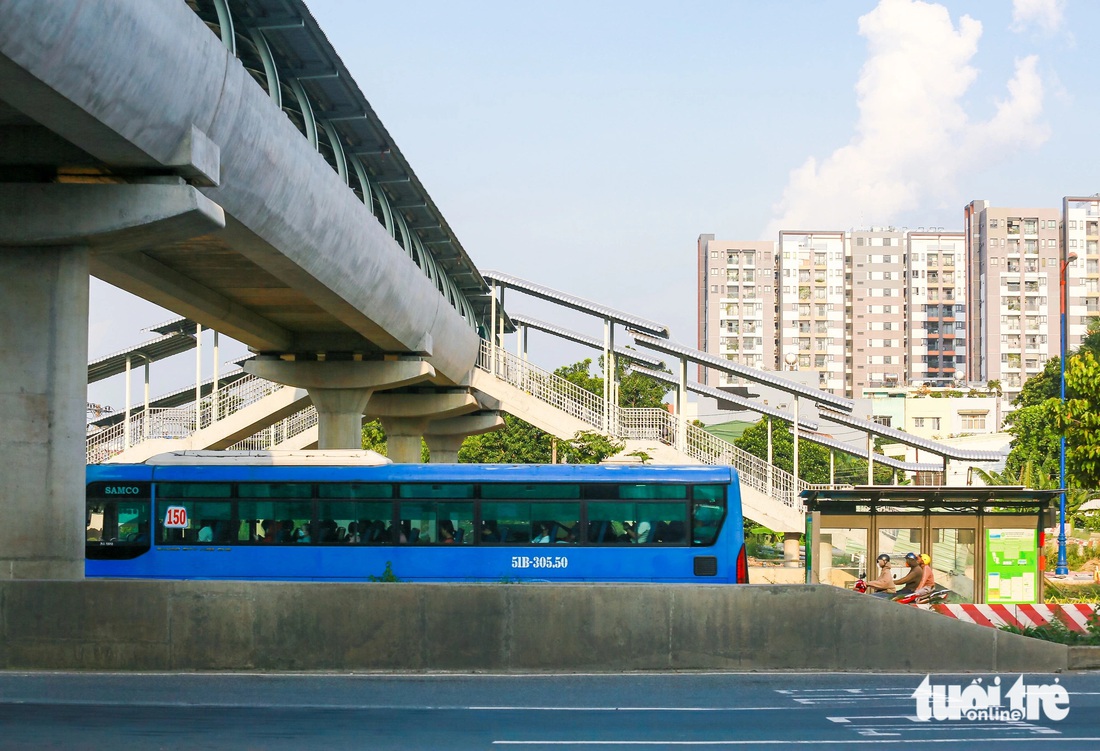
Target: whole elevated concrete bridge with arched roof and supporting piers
222, 163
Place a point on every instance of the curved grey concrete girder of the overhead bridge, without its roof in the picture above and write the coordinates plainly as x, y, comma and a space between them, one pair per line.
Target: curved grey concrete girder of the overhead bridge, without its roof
292, 223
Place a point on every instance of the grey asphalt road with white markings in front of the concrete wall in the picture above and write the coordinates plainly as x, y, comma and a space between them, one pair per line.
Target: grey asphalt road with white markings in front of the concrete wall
529, 713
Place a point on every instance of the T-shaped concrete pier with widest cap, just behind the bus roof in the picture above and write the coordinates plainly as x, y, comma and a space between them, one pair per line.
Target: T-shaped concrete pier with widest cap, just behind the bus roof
340, 390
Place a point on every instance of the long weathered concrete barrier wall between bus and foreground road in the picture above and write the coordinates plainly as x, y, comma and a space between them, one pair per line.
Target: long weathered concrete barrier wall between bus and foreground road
113, 625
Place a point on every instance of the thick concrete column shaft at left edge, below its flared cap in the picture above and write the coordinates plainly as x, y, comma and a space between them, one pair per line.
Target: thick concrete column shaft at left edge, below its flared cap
45, 362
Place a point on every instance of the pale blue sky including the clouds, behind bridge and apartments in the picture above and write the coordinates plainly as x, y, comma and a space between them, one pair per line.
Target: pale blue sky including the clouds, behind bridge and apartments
587, 146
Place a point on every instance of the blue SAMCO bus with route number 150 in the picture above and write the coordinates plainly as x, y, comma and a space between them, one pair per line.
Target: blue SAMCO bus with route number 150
356, 516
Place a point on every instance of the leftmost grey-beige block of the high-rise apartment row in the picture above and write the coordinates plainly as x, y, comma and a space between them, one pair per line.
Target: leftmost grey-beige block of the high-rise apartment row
736, 315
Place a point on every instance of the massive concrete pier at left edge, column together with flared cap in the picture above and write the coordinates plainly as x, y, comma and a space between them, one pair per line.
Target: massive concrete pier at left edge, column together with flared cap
47, 231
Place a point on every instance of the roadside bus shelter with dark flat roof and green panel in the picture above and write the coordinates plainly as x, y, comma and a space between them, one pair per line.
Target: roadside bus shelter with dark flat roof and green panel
986, 543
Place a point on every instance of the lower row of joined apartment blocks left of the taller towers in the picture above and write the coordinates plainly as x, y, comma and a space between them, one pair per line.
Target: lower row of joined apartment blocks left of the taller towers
840, 306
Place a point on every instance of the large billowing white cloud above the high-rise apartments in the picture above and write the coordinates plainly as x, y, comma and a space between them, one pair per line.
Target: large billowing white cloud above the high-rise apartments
914, 138
